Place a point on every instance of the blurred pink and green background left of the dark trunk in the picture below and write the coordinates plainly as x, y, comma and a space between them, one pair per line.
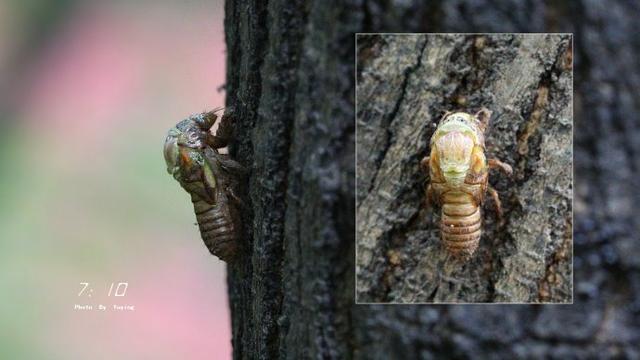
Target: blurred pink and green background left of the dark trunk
88, 91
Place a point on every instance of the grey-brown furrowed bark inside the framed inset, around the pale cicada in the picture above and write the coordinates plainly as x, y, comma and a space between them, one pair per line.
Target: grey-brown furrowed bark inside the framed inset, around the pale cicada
405, 84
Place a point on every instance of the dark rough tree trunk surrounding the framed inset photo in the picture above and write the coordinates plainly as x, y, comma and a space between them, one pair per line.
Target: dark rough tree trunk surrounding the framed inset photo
290, 78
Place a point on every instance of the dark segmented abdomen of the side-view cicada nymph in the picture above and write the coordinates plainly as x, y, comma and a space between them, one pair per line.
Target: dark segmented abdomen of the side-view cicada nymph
216, 229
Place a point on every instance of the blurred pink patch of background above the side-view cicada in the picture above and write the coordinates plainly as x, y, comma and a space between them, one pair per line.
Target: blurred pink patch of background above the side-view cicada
110, 61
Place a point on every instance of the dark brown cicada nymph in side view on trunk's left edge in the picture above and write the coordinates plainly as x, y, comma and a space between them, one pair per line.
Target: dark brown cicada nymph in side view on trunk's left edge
210, 177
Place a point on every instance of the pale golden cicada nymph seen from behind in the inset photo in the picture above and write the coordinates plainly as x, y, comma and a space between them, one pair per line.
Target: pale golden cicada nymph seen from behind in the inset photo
459, 177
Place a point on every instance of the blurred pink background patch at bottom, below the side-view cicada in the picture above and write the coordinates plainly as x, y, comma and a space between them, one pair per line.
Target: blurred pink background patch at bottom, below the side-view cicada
180, 313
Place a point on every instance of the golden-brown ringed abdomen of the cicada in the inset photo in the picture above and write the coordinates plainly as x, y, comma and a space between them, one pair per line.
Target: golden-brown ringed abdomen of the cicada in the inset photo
461, 224
